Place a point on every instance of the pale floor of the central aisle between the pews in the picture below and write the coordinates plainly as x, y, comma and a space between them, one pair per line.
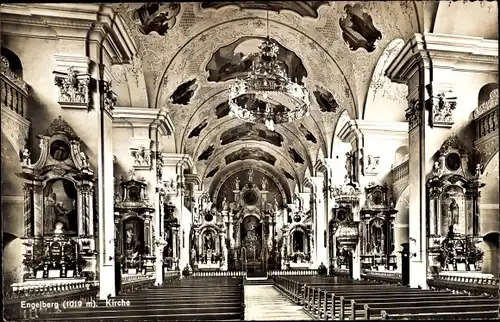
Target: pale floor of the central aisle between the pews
264, 302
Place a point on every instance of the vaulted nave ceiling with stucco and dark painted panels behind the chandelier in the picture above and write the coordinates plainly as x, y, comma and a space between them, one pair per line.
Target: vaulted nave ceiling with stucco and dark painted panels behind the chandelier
190, 53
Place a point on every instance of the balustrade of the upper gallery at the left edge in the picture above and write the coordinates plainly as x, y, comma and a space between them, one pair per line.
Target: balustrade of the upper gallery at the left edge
14, 91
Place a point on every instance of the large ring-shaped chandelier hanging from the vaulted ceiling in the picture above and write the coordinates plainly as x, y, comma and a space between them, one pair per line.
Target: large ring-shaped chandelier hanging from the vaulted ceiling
268, 82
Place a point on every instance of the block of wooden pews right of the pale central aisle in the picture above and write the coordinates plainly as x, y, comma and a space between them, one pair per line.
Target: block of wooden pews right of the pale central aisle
339, 298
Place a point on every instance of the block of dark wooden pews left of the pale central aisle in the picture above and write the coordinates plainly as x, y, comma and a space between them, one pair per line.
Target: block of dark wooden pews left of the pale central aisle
215, 298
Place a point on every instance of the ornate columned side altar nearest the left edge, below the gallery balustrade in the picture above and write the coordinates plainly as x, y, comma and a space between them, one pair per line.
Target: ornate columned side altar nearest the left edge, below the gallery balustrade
59, 208
